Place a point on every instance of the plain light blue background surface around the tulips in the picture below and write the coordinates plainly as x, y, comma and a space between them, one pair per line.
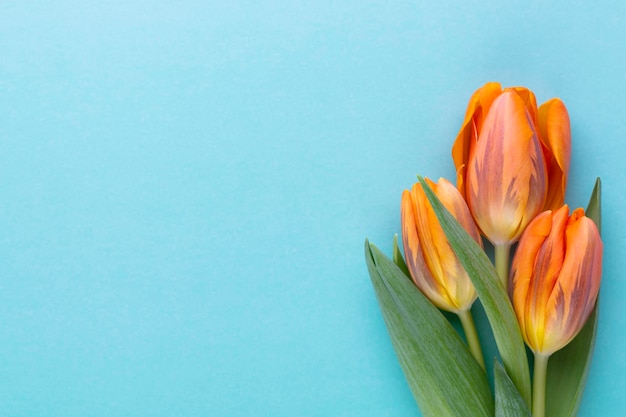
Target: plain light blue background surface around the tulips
185, 189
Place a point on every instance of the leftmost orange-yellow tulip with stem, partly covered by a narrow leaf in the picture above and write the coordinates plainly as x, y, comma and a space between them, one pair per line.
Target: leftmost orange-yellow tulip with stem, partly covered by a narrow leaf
434, 267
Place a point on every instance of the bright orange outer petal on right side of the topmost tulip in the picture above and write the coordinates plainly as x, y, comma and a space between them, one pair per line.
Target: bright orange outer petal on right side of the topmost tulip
555, 134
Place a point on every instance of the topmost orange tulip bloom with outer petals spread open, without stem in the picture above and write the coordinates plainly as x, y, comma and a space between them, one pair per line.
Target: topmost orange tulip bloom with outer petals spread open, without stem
512, 159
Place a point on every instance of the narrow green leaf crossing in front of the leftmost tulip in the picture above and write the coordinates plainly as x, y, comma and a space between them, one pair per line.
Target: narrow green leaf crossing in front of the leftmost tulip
491, 293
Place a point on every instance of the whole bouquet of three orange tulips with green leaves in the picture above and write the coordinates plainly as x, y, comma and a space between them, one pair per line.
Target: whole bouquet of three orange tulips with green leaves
512, 161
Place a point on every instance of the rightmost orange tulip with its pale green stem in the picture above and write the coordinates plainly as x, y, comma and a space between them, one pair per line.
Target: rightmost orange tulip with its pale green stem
555, 279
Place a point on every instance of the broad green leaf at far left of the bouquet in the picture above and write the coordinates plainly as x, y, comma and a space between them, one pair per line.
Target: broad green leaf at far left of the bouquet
443, 376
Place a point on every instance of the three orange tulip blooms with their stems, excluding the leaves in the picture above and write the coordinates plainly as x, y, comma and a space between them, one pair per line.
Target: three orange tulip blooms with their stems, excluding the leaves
512, 160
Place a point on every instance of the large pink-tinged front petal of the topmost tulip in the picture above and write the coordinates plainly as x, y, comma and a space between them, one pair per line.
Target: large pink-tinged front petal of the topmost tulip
506, 174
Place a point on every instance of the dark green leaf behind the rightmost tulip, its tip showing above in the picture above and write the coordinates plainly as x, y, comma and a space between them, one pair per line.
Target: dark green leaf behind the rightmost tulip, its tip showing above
569, 367
